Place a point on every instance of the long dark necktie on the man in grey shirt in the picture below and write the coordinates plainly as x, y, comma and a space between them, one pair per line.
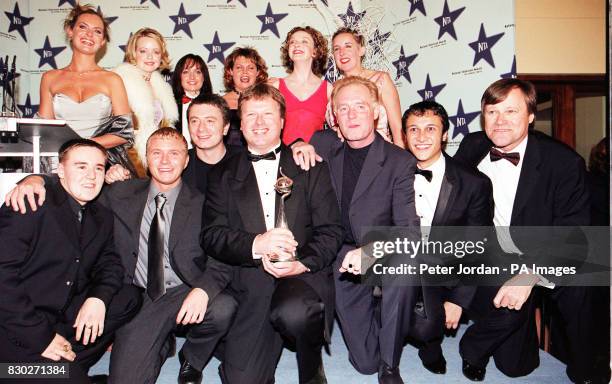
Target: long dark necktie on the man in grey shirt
155, 267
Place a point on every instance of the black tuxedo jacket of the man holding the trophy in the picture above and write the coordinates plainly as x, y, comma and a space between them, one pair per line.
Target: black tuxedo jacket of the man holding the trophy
234, 216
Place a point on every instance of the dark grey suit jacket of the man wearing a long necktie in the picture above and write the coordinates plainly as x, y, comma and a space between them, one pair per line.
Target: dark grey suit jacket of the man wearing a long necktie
127, 201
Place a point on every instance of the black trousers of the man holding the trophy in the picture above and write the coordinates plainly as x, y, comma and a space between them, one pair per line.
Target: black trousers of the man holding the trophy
297, 318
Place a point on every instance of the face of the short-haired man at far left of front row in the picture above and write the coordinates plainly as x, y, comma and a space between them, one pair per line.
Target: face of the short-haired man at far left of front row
81, 173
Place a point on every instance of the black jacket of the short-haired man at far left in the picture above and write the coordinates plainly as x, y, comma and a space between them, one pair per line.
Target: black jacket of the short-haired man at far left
45, 262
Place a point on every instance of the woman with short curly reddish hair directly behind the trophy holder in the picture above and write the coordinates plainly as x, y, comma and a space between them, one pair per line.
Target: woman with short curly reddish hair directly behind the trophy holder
243, 68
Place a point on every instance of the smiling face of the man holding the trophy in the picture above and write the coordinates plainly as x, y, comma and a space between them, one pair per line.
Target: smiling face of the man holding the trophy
261, 124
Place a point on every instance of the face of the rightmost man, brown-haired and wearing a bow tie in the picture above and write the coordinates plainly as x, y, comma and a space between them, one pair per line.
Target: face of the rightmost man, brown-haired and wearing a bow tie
507, 122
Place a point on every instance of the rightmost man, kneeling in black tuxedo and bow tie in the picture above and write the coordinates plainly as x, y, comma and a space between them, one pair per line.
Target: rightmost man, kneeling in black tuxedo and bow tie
537, 181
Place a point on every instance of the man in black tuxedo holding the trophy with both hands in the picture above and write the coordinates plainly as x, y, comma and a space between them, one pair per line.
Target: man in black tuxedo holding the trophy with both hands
284, 301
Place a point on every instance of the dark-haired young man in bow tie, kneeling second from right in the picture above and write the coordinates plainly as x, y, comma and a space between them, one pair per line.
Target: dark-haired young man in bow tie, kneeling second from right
446, 194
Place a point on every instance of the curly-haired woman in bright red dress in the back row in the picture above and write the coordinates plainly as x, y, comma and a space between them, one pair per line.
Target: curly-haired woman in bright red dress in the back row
304, 56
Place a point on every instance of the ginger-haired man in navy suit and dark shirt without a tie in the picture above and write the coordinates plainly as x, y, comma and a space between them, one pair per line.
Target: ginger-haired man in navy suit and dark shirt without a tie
373, 181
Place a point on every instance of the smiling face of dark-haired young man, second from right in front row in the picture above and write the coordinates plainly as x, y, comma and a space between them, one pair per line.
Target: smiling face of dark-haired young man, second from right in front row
424, 137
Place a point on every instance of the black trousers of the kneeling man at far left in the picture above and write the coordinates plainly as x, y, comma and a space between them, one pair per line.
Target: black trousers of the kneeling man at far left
121, 309
